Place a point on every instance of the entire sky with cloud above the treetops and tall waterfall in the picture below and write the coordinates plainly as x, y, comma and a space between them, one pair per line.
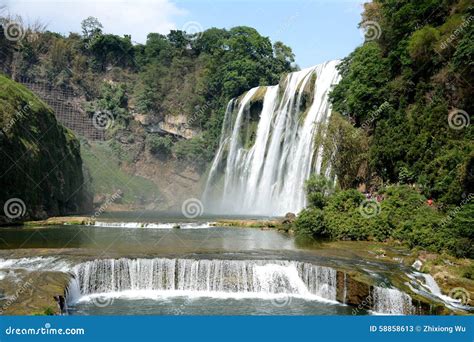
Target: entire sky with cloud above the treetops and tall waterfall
316, 30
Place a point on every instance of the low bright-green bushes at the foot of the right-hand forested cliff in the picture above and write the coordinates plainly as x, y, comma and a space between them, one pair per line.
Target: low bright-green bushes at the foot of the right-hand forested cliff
403, 214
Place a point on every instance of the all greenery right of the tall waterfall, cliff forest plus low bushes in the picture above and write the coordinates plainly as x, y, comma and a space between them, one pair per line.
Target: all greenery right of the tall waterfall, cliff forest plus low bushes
401, 127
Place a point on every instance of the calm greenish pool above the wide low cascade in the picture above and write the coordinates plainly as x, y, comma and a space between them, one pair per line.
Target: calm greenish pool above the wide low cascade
145, 240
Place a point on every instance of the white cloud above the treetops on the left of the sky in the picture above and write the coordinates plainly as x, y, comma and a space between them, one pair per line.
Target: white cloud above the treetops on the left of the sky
135, 17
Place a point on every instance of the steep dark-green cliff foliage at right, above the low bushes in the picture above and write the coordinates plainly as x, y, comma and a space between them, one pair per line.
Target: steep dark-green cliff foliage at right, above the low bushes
408, 93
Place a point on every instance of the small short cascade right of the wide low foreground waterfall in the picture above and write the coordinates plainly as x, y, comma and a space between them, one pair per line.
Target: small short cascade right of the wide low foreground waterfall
391, 301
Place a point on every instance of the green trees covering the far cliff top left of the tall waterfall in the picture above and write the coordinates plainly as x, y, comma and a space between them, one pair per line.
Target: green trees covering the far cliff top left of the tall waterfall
170, 75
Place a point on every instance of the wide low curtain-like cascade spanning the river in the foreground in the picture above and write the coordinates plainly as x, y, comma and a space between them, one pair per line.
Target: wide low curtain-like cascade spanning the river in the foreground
243, 278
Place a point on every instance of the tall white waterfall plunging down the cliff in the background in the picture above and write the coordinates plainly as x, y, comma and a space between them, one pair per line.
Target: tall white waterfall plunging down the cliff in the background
270, 144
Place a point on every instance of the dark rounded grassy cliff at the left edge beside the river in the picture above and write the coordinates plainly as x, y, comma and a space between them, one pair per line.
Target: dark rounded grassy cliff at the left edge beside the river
40, 162
